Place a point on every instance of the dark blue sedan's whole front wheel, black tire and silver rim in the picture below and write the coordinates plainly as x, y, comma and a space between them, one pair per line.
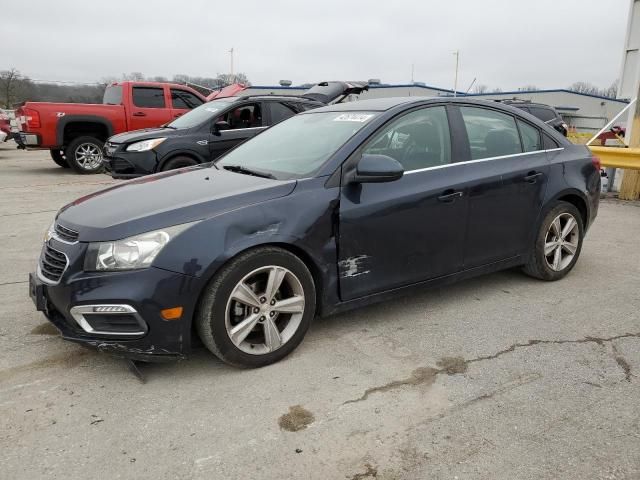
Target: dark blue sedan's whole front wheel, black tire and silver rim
218, 313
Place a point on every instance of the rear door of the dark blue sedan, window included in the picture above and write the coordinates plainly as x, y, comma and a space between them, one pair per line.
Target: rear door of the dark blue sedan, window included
508, 174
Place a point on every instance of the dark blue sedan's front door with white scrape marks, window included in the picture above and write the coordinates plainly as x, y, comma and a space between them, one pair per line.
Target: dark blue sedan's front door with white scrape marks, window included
412, 229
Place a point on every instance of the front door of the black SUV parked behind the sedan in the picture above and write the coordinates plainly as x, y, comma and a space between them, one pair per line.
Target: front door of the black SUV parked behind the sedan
245, 121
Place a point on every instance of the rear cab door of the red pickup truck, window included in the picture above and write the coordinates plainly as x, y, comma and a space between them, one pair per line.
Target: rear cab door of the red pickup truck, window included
149, 107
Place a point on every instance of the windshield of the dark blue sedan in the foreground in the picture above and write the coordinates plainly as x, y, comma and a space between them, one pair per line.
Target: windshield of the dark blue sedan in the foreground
299, 146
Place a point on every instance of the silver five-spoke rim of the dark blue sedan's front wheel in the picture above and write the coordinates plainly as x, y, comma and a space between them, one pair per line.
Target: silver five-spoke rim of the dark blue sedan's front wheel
264, 310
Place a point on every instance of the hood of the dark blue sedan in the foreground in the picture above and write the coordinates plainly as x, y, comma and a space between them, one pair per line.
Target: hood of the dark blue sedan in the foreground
166, 199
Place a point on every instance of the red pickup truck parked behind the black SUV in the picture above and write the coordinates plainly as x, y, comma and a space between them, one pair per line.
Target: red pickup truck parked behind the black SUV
75, 132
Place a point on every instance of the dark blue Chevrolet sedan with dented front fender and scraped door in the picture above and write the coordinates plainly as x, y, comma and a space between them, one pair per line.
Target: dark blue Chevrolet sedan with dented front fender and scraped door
334, 208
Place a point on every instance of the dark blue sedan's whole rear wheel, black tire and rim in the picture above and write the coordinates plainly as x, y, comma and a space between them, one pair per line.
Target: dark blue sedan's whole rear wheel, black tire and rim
547, 265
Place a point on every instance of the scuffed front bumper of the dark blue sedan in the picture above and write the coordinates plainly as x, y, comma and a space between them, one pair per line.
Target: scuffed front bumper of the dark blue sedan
144, 293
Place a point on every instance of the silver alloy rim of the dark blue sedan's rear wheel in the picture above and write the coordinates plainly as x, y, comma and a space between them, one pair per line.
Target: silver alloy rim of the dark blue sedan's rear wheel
561, 242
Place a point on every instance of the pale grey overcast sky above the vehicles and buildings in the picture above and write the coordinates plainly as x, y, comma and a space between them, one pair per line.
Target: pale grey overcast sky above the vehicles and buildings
506, 44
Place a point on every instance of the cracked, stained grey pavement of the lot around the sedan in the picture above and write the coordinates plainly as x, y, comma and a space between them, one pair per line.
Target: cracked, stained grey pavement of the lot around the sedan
500, 377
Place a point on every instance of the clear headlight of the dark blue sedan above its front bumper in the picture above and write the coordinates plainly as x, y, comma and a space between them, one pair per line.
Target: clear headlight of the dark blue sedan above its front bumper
130, 253
